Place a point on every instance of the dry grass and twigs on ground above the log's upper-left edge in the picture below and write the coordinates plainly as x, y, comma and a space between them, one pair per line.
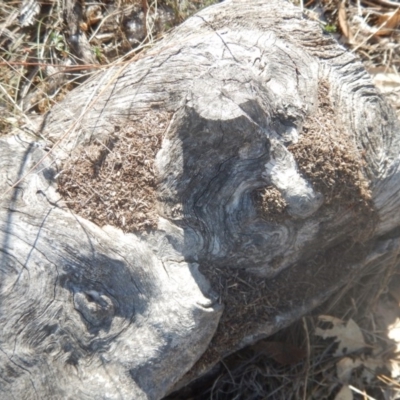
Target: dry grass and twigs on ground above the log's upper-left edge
40, 61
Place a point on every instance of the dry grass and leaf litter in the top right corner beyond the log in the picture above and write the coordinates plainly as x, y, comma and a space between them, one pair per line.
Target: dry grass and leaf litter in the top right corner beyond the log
371, 30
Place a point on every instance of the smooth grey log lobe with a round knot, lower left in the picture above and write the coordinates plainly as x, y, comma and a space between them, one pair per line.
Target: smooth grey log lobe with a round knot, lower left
87, 312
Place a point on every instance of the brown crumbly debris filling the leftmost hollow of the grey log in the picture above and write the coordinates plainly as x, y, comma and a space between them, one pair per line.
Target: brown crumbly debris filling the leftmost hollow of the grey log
114, 183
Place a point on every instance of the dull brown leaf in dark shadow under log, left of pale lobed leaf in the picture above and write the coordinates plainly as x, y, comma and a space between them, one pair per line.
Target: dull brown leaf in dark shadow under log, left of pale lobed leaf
283, 353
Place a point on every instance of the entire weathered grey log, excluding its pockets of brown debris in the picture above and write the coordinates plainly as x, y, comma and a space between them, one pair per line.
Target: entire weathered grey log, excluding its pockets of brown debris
93, 313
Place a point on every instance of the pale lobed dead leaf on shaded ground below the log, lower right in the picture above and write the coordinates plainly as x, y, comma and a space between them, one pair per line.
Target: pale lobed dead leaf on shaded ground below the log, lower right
348, 335
